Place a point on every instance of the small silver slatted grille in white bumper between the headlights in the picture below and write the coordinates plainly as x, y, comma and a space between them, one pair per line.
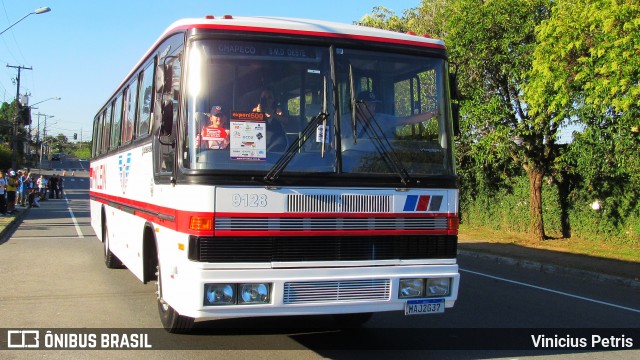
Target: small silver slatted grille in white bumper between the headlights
346, 290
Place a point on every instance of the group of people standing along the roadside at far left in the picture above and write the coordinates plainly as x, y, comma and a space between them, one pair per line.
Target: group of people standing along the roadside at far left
21, 188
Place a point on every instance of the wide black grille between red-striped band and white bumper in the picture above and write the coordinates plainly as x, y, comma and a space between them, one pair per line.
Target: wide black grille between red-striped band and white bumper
321, 248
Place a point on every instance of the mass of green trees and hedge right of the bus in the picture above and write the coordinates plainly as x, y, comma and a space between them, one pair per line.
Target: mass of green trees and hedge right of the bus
527, 69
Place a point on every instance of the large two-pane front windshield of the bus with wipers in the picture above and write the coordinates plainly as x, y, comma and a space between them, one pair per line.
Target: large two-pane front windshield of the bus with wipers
251, 104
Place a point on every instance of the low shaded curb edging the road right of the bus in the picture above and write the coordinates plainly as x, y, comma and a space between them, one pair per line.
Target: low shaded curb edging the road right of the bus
552, 268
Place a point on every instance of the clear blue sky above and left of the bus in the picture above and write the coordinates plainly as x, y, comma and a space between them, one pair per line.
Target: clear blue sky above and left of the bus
81, 50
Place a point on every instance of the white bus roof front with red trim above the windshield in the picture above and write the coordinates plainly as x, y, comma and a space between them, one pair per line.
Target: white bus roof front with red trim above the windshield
293, 26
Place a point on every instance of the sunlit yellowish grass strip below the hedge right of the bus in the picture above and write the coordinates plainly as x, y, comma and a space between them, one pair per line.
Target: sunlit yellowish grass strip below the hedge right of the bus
626, 252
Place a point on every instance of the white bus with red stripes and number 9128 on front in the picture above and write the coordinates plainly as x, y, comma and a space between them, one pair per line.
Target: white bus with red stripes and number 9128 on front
256, 166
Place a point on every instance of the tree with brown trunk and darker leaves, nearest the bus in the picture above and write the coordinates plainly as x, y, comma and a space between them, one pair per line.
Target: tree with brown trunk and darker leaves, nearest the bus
494, 41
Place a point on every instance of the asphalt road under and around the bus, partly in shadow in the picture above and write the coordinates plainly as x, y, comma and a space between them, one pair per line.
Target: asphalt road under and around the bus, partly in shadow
53, 277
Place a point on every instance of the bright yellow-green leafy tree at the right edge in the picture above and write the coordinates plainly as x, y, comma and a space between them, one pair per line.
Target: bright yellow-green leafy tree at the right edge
586, 69
